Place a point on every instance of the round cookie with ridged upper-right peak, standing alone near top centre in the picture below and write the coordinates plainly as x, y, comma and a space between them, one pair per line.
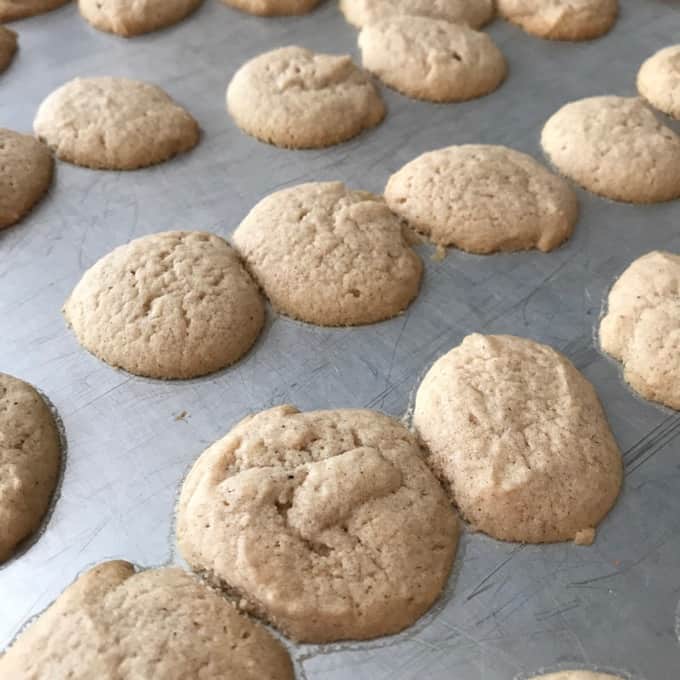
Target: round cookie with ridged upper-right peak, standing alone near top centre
296, 99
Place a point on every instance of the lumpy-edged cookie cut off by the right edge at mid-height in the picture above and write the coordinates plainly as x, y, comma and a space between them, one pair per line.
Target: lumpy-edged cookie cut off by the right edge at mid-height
642, 326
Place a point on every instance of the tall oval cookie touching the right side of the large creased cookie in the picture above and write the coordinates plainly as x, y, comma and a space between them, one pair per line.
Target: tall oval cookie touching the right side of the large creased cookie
520, 438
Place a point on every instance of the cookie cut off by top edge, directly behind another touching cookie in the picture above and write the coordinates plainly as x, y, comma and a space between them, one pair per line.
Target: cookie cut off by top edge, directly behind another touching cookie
474, 13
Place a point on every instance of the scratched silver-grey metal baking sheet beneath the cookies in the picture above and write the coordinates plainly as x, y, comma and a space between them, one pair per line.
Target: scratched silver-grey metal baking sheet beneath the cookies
509, 610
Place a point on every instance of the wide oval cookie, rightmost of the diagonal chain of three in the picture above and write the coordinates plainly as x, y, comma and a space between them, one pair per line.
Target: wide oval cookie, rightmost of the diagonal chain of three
483, 199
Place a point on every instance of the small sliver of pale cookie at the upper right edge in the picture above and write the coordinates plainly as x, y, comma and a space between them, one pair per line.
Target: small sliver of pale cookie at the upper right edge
658, 80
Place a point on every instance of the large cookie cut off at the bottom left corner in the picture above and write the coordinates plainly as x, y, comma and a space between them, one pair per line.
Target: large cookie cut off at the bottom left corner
159, 623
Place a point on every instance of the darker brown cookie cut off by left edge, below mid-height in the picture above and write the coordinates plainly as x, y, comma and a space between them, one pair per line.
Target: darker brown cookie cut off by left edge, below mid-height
30, 456
